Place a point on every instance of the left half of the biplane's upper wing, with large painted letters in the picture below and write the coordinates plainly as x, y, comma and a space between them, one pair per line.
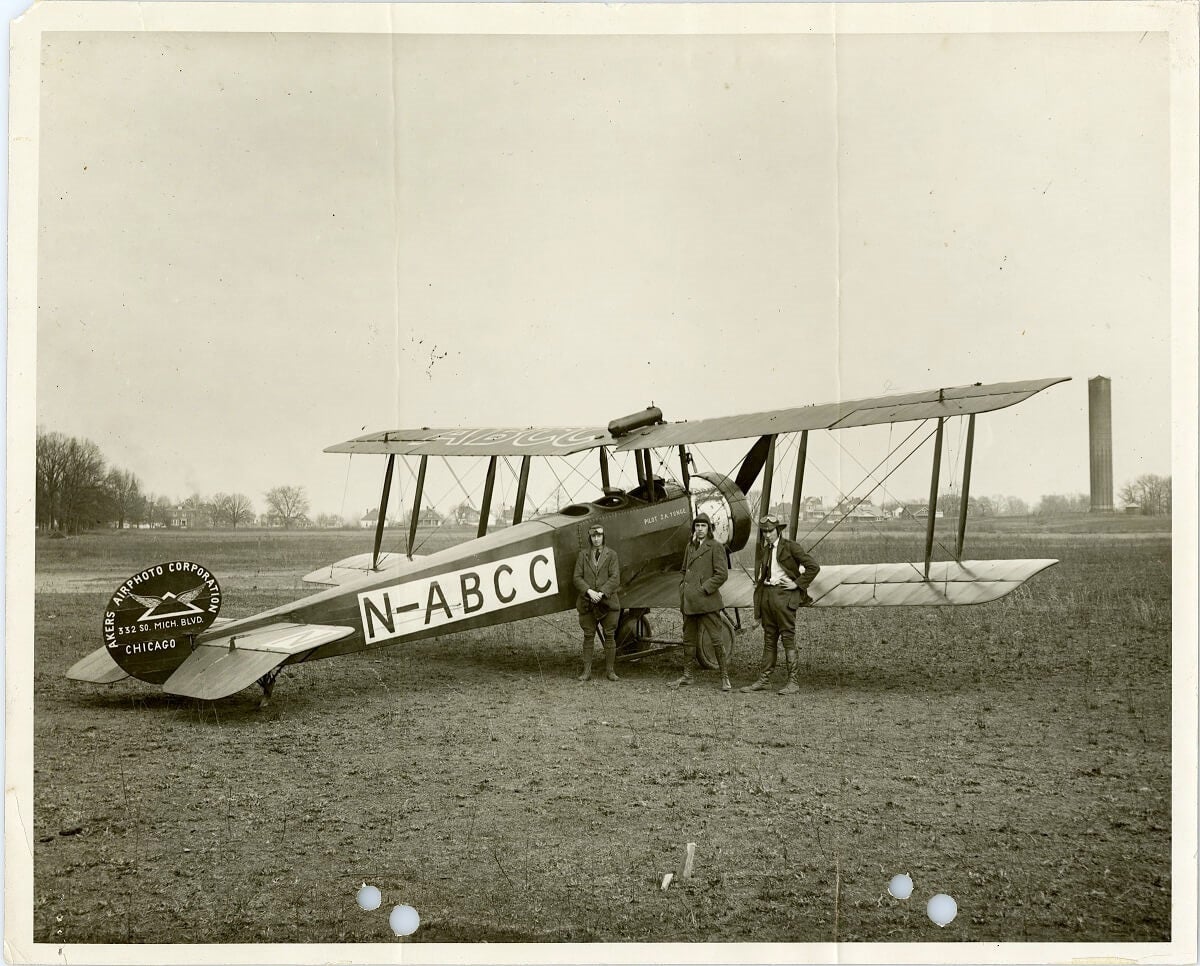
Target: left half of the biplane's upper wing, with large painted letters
481, 442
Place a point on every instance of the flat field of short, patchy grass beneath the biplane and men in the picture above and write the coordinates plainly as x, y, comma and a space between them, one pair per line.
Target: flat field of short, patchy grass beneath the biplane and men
1015, 755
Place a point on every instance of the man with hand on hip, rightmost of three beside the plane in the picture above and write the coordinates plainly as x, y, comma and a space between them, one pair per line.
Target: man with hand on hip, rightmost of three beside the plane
781, 590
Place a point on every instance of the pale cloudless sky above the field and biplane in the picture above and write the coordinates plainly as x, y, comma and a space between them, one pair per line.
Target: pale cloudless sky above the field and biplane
253, 247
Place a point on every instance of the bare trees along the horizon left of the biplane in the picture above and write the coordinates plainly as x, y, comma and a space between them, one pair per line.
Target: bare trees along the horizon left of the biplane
77, 490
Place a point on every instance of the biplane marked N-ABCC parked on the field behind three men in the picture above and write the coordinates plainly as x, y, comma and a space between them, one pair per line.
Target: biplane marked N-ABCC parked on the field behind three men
161, 626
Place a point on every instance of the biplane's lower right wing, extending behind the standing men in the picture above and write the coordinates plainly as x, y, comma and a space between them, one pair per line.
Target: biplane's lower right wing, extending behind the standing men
950, 584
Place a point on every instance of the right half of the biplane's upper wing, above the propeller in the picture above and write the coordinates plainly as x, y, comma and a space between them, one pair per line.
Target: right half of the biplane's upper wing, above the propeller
841, 416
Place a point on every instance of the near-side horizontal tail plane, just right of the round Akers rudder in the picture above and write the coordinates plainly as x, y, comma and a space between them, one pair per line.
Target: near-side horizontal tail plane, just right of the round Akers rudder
226, 665
